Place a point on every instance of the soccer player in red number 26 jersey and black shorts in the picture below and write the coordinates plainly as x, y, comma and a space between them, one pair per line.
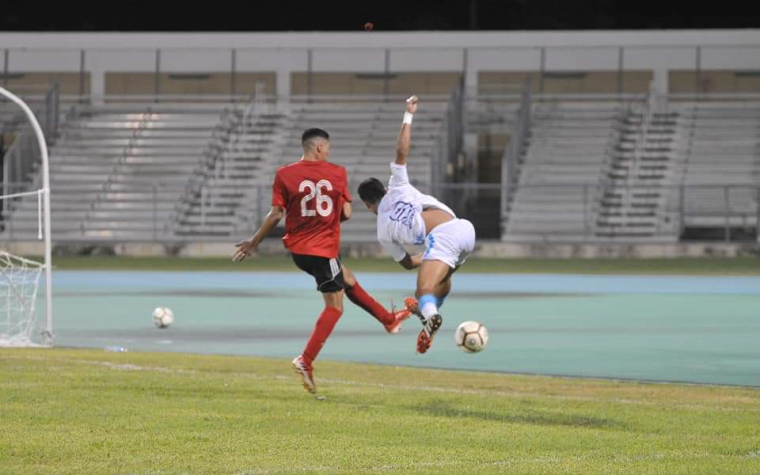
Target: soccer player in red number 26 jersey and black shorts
314, 193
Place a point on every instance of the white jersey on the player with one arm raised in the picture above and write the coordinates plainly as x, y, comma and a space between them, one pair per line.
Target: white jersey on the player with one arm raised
399, 214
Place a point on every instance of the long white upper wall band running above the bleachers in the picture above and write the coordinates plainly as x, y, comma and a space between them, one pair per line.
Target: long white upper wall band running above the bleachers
283, 53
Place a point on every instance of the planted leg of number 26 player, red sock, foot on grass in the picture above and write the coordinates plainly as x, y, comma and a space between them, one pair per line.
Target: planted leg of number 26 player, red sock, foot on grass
326, 322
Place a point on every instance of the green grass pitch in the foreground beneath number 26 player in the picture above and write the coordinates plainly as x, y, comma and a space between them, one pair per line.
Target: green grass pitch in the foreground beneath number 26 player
70, 411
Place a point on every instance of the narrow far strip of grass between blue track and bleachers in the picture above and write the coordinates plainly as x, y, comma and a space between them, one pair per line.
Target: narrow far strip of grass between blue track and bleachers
681, 266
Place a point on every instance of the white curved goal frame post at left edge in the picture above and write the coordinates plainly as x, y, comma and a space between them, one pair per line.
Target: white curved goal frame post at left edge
46, 231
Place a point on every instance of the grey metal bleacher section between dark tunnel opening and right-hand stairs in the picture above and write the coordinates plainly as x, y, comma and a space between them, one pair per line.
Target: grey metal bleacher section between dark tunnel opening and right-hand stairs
560, 170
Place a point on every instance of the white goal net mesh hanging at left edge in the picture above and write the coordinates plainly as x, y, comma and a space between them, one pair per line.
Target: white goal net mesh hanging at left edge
19, 281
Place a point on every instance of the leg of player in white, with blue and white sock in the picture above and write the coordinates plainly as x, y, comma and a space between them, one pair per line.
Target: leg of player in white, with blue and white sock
431, 274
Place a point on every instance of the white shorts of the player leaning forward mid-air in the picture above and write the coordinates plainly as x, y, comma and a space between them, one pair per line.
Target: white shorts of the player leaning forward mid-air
450, 242
